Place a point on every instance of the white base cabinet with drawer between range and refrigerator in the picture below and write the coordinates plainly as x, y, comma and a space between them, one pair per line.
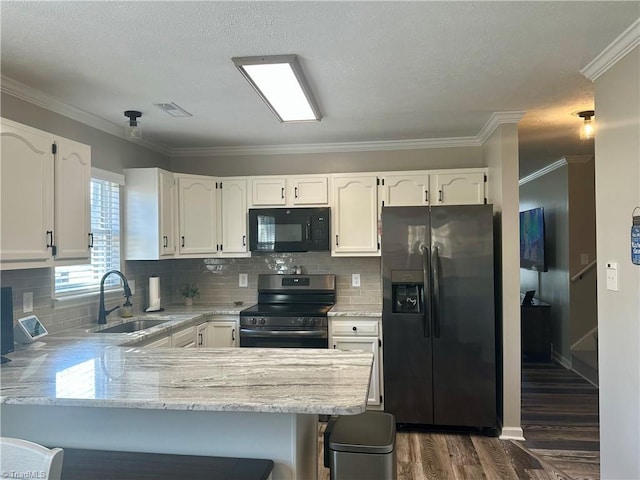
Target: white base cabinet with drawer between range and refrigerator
361, 334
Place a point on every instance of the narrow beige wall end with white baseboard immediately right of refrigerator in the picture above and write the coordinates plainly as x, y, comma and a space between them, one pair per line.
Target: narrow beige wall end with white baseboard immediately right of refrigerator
500, 155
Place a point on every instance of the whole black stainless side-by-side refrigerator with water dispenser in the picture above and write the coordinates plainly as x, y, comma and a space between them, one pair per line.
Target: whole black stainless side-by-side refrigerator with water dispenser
438, 321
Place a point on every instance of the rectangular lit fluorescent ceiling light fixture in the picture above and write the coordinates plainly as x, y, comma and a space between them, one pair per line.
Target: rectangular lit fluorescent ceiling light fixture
279, 81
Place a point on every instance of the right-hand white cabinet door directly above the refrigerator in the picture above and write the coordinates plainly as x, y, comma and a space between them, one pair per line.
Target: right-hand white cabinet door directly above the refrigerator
463, 188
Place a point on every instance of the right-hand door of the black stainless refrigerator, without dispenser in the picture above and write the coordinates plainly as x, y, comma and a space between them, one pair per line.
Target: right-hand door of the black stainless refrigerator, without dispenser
464, 353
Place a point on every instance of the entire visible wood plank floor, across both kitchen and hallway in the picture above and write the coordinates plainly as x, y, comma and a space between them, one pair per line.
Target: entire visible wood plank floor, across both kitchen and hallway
560, 420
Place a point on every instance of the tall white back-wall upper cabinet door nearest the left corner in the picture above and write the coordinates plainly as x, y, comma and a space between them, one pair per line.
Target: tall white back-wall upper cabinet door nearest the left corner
197, 212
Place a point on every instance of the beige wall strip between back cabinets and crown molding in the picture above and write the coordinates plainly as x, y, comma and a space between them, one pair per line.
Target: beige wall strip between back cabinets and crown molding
423, 159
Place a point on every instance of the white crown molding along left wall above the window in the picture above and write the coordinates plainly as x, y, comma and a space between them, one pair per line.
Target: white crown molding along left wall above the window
40, 99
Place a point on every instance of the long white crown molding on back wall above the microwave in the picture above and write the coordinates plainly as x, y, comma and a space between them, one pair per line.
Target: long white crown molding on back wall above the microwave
328, 147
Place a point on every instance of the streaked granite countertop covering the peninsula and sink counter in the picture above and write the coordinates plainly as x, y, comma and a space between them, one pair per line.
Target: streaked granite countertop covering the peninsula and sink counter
83, 368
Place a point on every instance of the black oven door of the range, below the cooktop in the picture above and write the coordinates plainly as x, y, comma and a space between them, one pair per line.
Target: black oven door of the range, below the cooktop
282, 337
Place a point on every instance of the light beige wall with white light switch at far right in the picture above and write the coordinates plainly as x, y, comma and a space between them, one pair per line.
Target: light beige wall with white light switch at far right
617, 152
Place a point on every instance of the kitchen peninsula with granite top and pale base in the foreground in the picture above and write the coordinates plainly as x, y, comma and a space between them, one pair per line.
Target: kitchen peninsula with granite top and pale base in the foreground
235, 402
